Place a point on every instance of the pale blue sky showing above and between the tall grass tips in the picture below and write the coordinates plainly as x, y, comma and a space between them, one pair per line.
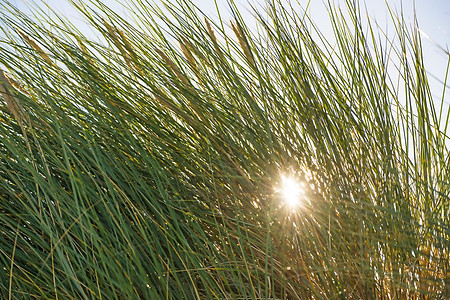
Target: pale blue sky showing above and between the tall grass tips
433, 17
